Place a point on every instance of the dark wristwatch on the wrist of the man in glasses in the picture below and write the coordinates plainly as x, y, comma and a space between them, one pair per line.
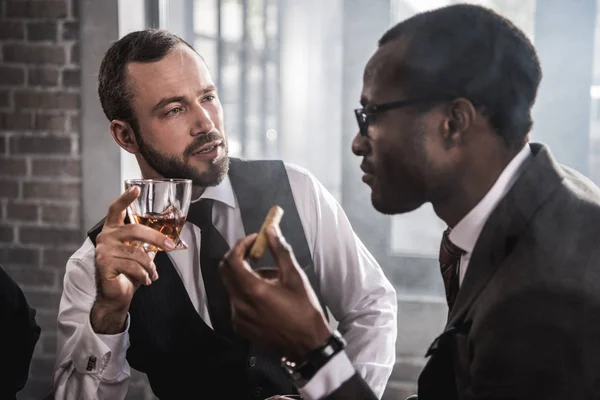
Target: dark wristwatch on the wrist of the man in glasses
300, 373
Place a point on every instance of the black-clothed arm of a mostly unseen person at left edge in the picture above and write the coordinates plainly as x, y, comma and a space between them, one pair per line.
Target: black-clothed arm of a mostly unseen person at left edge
18, 335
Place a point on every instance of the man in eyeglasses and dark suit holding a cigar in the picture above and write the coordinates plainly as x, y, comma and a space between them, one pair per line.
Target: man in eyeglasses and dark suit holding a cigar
446, 115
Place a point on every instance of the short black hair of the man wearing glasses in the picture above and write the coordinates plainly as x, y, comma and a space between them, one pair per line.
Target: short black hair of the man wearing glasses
472, 52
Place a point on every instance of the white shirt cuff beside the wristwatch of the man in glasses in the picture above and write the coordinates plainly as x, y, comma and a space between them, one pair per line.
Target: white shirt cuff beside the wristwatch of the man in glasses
330, 377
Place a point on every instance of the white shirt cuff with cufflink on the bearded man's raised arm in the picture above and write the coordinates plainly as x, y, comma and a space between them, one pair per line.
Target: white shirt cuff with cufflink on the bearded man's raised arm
102, 355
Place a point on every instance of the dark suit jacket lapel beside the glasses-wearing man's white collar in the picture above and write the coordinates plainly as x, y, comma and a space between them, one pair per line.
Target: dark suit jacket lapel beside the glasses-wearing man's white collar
540, 178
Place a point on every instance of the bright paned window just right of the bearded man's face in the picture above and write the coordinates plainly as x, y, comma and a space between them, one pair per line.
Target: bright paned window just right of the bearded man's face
239, 40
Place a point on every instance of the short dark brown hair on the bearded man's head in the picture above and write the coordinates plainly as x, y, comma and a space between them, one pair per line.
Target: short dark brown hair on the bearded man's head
144, 46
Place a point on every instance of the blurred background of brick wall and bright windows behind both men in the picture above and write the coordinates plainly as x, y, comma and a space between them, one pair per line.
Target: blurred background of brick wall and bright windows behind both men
289, 74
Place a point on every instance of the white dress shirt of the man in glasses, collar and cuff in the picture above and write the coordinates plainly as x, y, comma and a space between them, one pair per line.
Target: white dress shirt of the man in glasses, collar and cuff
464, 235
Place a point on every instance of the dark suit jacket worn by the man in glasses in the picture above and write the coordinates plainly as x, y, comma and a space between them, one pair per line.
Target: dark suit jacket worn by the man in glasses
526, 322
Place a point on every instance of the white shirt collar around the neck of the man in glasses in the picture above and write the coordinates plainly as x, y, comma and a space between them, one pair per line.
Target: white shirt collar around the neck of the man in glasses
466, 232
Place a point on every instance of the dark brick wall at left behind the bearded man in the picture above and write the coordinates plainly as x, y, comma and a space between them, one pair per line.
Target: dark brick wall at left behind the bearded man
40, 172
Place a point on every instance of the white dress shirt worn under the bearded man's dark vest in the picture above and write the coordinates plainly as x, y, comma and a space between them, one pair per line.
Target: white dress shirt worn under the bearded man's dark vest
352, 285
